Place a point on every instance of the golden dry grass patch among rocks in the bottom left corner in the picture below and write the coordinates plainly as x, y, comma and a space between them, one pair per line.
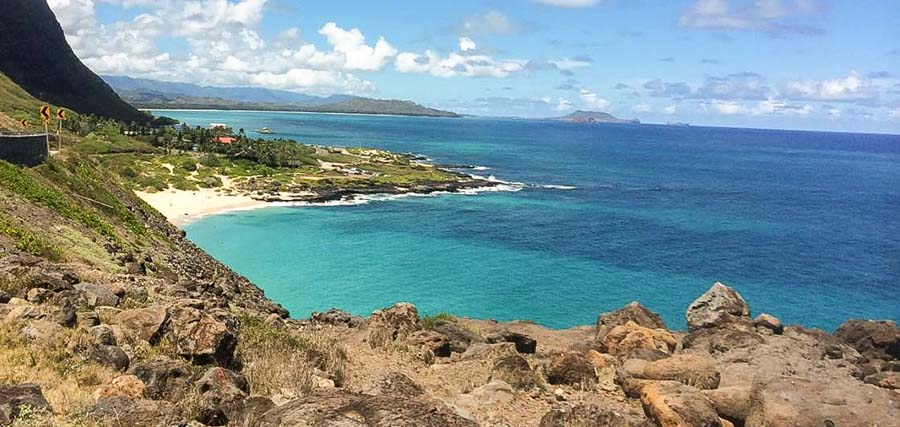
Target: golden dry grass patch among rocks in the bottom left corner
67, 380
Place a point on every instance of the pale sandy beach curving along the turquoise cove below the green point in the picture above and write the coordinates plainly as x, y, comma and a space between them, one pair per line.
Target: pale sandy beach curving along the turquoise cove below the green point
182, 207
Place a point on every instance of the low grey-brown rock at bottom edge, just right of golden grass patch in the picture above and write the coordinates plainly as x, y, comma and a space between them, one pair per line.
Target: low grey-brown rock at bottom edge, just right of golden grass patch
122, 411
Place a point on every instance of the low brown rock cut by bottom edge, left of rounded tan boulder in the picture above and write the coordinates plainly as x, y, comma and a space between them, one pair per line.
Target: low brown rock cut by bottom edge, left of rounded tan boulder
593, 416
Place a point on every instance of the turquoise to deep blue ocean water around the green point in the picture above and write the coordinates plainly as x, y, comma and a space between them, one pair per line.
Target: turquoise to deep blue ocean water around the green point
805, 225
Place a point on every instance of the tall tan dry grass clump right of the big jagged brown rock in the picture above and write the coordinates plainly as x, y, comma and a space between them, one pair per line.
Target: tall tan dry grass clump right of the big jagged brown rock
283, 361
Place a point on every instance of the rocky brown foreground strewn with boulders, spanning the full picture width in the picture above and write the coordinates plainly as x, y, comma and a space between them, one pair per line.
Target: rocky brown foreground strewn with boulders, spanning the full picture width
136, 350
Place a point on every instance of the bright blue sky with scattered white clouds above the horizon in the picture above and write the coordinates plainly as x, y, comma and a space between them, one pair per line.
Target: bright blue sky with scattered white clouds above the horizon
786, 64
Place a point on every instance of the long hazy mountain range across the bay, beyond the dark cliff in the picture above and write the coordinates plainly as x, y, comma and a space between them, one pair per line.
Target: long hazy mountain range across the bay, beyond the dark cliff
153, 94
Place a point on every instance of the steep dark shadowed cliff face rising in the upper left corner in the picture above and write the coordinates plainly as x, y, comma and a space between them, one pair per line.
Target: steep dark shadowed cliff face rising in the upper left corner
34, 54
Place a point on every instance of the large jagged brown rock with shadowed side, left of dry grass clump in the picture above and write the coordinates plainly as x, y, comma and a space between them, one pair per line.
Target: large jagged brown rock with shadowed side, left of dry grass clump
203, 338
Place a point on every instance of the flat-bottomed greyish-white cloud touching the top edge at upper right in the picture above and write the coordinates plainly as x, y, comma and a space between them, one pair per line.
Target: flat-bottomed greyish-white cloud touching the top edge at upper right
776, 17
